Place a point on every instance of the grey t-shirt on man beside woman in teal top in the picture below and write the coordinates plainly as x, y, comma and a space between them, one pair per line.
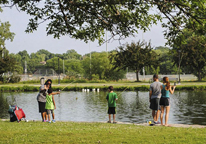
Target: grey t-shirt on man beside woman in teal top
155, 87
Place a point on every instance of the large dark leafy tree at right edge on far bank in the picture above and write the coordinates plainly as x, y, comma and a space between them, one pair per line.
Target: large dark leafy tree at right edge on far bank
190, 51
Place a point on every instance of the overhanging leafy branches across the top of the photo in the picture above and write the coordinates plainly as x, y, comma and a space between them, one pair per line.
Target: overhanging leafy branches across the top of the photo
88, 20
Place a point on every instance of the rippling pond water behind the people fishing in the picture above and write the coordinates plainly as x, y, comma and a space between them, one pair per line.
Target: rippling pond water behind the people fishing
186, 107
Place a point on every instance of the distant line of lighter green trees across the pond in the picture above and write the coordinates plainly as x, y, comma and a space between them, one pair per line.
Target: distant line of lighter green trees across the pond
75, 65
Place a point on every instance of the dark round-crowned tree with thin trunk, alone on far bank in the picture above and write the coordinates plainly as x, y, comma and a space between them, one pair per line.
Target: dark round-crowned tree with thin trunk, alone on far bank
134, 56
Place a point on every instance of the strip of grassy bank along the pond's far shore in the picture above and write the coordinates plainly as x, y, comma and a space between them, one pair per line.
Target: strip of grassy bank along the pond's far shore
102, 87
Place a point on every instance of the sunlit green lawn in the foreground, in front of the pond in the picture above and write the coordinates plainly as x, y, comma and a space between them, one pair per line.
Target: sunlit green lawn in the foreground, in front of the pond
75, 133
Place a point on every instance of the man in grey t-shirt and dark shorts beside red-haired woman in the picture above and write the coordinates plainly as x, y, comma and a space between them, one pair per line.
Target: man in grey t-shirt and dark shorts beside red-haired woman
154, 98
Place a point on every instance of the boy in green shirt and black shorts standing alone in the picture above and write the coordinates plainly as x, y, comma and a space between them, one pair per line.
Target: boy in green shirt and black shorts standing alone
111, 99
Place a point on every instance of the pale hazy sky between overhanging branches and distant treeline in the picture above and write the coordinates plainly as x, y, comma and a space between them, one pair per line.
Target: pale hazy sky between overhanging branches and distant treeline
32, 42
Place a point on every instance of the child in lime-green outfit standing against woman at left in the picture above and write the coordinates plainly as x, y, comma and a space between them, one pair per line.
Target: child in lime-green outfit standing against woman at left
50, 105
